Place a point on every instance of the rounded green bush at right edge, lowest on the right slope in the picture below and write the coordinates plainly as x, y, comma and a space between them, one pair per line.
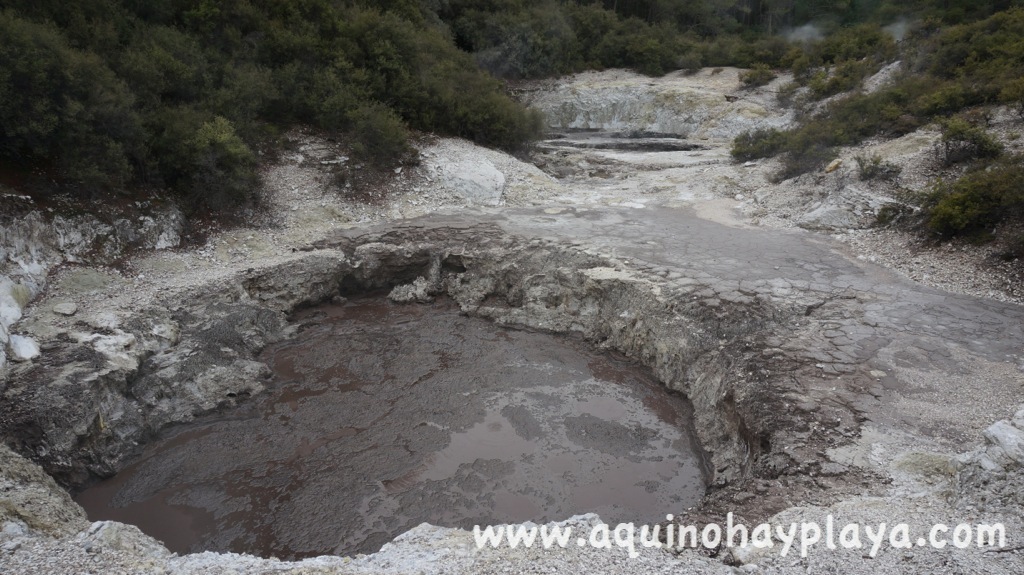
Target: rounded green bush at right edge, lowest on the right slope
979, 200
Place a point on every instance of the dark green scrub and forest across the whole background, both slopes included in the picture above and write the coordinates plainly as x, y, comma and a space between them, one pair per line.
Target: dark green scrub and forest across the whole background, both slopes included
142, 97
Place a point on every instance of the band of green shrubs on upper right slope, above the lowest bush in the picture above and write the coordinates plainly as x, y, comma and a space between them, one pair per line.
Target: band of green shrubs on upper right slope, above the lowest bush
953, 69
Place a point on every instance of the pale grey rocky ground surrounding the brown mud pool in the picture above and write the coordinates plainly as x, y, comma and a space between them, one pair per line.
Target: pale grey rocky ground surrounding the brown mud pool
823, 383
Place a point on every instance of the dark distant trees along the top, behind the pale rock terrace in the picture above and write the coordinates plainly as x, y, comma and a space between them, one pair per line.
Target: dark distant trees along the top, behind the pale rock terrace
531, 38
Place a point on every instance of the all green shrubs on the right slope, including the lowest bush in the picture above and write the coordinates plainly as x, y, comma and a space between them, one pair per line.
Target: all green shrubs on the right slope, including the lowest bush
951, 74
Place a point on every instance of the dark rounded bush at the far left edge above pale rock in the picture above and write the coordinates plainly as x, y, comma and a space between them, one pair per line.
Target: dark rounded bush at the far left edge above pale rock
64, 109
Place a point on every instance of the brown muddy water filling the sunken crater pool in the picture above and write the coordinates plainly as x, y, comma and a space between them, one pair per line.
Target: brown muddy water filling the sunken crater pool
387, 417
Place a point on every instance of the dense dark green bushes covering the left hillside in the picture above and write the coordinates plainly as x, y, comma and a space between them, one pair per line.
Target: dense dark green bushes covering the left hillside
185, 95
